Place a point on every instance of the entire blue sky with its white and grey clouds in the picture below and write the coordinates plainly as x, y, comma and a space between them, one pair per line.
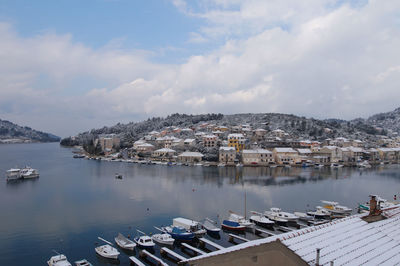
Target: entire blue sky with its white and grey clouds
70, 66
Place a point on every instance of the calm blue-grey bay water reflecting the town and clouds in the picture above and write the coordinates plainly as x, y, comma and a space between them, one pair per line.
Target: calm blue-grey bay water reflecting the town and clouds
76, 200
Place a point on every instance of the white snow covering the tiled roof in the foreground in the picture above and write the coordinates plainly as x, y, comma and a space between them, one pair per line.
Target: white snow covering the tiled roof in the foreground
350, 241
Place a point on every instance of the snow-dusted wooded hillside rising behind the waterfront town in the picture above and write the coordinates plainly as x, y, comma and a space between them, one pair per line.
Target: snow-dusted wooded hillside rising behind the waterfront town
297, 127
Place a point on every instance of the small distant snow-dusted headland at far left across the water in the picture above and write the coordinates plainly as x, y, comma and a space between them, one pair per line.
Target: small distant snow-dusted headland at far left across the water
10, 132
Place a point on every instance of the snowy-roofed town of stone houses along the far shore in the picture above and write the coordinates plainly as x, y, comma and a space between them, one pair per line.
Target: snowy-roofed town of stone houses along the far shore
242, 145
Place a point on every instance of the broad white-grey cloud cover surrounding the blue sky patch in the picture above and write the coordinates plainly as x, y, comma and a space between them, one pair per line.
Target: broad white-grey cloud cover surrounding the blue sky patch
314, 58
